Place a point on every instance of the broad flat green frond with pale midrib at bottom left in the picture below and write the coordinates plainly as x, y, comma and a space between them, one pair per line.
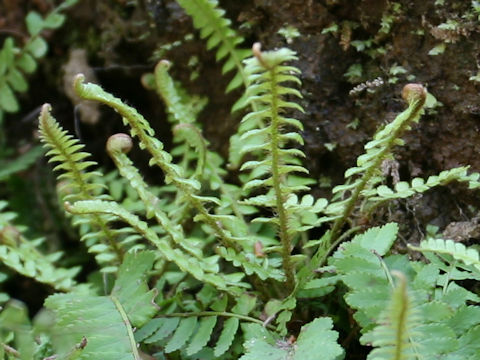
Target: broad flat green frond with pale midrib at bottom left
103, 325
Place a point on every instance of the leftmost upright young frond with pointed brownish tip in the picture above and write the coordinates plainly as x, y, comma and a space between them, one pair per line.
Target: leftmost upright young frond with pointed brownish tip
67, 151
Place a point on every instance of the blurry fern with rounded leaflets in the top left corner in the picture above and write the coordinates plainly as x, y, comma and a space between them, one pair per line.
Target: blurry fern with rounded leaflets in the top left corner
16, 62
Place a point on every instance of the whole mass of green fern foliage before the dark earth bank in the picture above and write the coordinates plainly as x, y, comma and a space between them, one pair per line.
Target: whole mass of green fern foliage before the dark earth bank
207, 269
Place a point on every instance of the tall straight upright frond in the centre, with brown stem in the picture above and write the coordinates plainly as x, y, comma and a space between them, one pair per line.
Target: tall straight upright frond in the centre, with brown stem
267, 77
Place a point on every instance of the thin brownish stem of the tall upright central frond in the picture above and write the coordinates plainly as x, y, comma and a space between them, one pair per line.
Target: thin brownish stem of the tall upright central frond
277, 184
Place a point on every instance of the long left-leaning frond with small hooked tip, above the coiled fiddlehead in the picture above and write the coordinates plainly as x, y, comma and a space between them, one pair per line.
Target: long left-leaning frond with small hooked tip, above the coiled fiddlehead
140, 128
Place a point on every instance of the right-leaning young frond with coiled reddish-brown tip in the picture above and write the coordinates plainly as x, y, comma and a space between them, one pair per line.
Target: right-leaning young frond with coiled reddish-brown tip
376, 151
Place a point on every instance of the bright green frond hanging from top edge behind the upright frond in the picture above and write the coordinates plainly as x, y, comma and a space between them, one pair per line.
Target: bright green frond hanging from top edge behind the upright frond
209, 18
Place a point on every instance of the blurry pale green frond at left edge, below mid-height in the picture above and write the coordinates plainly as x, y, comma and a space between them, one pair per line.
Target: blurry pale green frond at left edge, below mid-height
22, 255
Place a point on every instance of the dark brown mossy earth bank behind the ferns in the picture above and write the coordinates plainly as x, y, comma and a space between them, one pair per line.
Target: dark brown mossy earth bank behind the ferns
123, 39
